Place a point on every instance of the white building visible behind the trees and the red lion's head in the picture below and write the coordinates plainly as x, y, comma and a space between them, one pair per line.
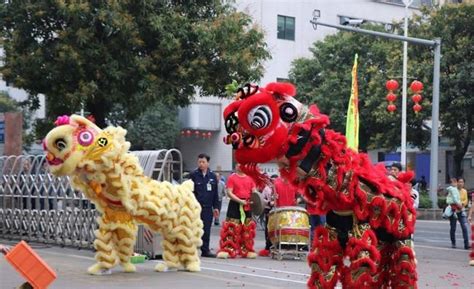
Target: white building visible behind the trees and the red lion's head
289, 35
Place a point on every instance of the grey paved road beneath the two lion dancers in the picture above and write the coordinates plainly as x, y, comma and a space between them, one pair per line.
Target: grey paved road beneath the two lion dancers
439, 266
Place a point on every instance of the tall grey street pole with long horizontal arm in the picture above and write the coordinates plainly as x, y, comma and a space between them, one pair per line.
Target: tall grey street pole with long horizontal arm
436, 45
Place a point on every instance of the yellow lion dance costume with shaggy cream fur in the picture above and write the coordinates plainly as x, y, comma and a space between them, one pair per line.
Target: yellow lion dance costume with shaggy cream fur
102, 168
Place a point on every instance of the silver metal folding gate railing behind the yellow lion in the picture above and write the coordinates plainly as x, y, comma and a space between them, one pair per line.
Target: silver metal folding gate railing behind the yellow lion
37, 206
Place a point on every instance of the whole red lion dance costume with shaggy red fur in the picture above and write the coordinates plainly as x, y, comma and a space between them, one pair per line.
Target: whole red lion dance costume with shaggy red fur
370, 218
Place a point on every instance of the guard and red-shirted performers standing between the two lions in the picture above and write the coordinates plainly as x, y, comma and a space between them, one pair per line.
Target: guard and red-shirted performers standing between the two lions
211, 188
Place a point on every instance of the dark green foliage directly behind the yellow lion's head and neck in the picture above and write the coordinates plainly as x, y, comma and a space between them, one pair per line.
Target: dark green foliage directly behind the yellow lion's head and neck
156, 128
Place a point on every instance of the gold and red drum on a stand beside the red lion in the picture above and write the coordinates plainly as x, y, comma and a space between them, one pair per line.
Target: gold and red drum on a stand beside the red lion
288, 225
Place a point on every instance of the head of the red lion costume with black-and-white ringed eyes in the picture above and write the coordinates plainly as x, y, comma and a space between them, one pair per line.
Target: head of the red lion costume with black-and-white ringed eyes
258, 121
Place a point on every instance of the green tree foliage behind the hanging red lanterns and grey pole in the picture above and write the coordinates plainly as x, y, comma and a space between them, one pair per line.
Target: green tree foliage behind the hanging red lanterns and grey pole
325, 79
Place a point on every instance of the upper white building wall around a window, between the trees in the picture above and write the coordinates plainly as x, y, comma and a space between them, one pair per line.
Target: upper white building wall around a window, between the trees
285, 51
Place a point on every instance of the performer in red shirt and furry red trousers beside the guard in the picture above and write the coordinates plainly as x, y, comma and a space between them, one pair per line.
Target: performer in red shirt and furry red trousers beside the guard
238, 230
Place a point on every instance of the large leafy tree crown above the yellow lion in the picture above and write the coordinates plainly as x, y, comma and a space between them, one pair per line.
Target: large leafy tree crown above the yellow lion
132, 53
